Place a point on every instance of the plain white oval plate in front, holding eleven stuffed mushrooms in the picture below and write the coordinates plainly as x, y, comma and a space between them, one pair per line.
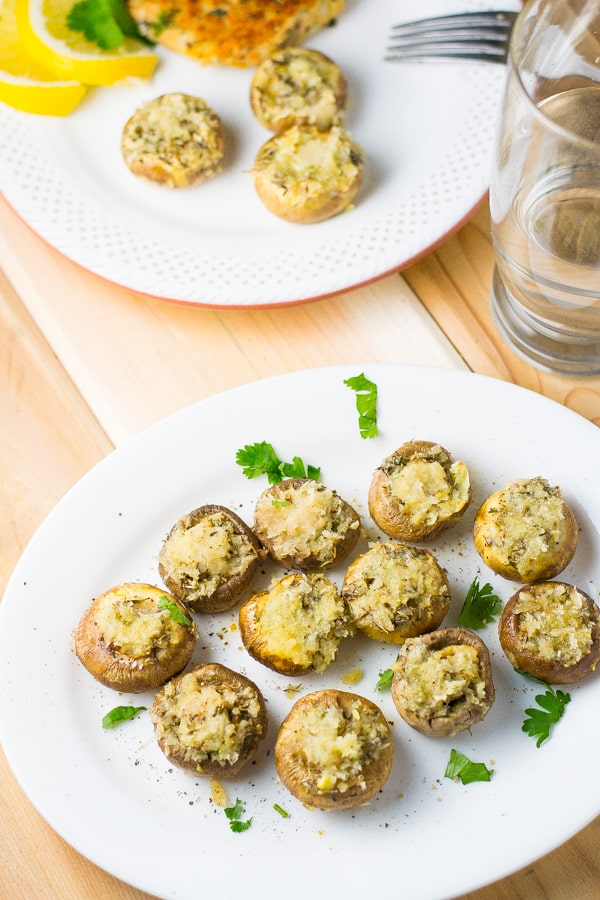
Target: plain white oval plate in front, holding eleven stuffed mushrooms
113, 796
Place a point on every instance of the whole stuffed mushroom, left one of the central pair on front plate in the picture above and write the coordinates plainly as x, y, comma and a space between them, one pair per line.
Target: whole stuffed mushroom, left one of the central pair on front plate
296, 626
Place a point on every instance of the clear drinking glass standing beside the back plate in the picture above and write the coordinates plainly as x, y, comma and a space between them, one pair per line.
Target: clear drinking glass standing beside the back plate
545, 189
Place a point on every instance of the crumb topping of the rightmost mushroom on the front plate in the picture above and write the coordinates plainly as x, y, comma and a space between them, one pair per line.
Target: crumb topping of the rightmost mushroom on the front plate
554, 623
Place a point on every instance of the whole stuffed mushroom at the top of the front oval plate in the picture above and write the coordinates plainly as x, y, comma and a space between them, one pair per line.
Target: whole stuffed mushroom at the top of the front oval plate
404, 496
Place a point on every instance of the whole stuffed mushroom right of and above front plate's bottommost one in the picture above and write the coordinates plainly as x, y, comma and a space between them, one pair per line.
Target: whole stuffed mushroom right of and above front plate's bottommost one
462, 699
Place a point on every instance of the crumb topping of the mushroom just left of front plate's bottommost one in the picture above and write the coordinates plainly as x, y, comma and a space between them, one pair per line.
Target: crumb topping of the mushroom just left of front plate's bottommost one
209, 721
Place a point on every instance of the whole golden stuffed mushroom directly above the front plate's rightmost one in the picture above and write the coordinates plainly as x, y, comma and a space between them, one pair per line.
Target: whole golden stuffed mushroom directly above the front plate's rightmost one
526, 531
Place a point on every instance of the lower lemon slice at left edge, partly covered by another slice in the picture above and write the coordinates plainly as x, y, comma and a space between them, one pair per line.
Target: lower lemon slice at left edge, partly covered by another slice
26, 85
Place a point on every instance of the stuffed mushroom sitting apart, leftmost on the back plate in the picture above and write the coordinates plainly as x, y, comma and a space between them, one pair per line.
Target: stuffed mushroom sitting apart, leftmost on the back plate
174, 140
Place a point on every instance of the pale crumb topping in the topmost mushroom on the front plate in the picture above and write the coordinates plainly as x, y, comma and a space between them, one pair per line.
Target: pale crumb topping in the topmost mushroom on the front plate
427, 491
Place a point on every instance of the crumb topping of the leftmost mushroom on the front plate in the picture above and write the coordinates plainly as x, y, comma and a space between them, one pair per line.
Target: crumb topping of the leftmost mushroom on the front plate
131, 622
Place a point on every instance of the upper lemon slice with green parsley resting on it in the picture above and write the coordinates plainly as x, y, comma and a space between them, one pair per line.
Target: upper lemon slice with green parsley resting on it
67, 53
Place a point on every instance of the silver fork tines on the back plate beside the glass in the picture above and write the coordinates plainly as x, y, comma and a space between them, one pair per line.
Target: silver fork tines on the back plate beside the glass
482, 36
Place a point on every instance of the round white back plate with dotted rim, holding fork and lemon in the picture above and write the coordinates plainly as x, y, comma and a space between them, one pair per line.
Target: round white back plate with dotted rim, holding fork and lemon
426, 130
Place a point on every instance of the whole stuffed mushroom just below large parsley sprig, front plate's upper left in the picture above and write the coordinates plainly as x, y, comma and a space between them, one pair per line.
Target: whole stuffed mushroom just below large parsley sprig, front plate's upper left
305, 525
